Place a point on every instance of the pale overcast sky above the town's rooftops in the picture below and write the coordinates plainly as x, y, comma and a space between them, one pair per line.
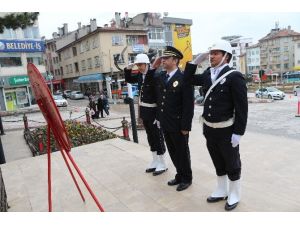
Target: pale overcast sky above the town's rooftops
206, 28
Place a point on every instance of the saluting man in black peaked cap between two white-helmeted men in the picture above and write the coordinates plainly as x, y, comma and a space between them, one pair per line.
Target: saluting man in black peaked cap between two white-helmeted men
176, 110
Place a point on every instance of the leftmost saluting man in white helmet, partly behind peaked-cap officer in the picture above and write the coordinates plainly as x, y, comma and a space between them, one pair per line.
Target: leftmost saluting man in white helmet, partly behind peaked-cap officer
148, 111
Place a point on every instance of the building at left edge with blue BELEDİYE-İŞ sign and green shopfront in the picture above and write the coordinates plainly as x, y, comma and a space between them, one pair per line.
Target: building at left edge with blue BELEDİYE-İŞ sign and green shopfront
17, 48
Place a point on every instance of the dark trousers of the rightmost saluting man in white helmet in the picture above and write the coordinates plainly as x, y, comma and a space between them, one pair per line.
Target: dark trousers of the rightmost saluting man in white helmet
226, 159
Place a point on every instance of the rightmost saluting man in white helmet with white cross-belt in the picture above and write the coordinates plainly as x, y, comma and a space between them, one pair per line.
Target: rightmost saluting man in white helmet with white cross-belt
224, 119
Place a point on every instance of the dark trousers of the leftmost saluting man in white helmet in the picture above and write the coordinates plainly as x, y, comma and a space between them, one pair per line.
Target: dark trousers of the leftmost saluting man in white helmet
155, 137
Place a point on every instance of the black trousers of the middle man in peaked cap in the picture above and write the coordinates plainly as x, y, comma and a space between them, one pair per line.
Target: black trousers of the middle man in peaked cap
179, 152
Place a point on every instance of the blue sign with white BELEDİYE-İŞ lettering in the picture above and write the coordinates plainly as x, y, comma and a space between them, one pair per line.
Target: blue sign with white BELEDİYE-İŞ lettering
21, 46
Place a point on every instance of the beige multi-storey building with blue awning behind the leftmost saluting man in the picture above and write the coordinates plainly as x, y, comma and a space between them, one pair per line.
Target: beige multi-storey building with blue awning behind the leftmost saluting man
87, 55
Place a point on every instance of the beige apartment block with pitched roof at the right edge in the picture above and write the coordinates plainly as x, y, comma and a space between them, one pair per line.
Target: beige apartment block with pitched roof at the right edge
277, 50
